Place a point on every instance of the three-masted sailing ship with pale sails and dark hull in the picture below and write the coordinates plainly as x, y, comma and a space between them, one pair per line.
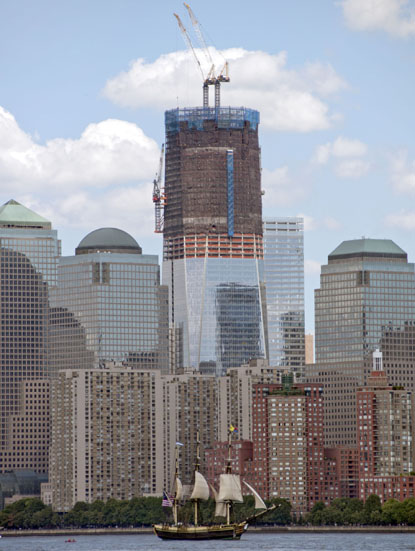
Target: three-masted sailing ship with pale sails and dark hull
230, 492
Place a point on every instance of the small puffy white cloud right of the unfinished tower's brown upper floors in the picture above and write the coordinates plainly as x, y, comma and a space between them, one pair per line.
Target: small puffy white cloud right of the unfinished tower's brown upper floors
346, 153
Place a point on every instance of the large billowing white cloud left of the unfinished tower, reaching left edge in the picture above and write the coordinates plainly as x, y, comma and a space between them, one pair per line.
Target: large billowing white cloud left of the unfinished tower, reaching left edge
108, 152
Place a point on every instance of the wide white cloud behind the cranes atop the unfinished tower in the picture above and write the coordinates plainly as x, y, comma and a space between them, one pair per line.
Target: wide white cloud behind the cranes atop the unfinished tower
289, 100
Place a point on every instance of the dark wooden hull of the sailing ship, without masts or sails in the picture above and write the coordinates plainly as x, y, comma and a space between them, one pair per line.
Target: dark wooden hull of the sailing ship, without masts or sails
218, 531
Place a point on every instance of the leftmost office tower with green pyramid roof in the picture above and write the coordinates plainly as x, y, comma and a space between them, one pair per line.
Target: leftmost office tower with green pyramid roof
29, 251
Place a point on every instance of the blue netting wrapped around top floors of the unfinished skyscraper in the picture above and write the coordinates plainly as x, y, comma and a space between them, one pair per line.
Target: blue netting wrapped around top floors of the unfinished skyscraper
225, 117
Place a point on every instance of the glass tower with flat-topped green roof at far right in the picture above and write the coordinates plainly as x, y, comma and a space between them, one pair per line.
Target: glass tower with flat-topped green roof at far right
367, 290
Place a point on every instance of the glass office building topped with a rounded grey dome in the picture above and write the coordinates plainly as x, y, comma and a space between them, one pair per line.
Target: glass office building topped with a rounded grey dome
114, 292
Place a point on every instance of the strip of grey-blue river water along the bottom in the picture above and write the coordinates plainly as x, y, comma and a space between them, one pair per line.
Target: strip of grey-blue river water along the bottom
249, 542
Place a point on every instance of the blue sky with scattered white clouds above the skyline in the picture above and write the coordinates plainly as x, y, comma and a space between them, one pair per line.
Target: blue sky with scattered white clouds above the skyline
84, 86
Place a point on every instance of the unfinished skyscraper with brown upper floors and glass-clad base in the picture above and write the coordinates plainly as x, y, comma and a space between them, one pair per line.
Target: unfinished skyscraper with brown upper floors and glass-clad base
213, 253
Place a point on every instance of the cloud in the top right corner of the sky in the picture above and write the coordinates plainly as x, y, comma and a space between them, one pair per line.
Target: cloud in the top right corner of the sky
396, 17
